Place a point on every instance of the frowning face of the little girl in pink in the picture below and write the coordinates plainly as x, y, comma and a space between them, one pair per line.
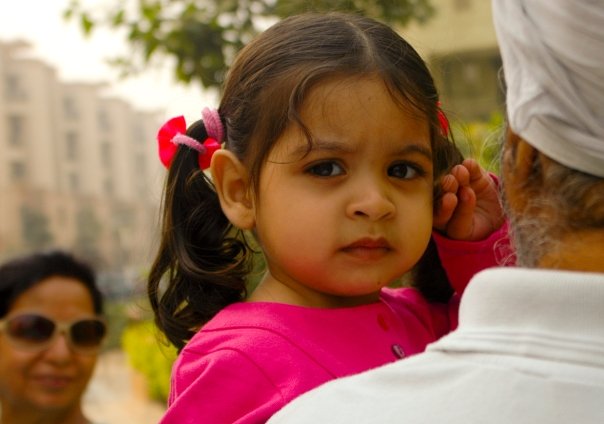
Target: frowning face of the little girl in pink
354, 214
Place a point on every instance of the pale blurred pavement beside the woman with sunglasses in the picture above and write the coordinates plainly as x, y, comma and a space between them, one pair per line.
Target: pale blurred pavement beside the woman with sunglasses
116, 394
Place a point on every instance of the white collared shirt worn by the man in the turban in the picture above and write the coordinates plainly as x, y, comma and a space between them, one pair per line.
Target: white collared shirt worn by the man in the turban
529, 349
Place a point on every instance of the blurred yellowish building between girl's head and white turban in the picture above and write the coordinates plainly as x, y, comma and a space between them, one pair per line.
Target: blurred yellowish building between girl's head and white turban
460, 47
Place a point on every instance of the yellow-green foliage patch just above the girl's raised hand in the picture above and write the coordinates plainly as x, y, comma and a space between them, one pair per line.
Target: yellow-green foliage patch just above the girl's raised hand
481, 140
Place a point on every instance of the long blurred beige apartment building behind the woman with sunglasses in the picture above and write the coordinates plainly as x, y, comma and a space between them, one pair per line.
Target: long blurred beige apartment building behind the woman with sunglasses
78, 169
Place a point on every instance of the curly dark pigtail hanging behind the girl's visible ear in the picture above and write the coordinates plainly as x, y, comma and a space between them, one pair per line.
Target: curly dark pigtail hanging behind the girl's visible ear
202, 262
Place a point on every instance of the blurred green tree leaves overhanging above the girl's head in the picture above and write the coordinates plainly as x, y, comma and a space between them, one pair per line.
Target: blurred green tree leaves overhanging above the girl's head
204, 35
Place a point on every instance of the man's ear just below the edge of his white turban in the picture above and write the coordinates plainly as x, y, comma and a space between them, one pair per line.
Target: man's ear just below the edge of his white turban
519, 161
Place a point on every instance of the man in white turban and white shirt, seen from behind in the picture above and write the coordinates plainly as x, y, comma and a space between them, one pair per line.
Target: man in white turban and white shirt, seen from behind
530, 343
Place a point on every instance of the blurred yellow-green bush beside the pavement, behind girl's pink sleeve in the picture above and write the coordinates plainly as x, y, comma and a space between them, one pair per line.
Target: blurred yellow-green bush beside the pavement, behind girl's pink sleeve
150, 357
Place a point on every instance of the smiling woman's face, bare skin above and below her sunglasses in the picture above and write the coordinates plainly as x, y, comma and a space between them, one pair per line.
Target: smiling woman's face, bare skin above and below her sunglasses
56, 377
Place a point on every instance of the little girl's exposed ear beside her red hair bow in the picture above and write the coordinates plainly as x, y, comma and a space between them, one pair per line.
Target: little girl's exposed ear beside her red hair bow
232, 184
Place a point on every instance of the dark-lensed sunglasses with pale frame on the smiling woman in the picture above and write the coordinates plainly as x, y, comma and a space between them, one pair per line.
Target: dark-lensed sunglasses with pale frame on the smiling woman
37, 332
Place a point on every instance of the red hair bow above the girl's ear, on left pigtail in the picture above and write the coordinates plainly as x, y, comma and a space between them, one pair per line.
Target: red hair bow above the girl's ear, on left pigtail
173, 133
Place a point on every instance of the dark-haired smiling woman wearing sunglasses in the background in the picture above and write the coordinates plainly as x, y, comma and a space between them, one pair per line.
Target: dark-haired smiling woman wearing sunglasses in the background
50, 334
